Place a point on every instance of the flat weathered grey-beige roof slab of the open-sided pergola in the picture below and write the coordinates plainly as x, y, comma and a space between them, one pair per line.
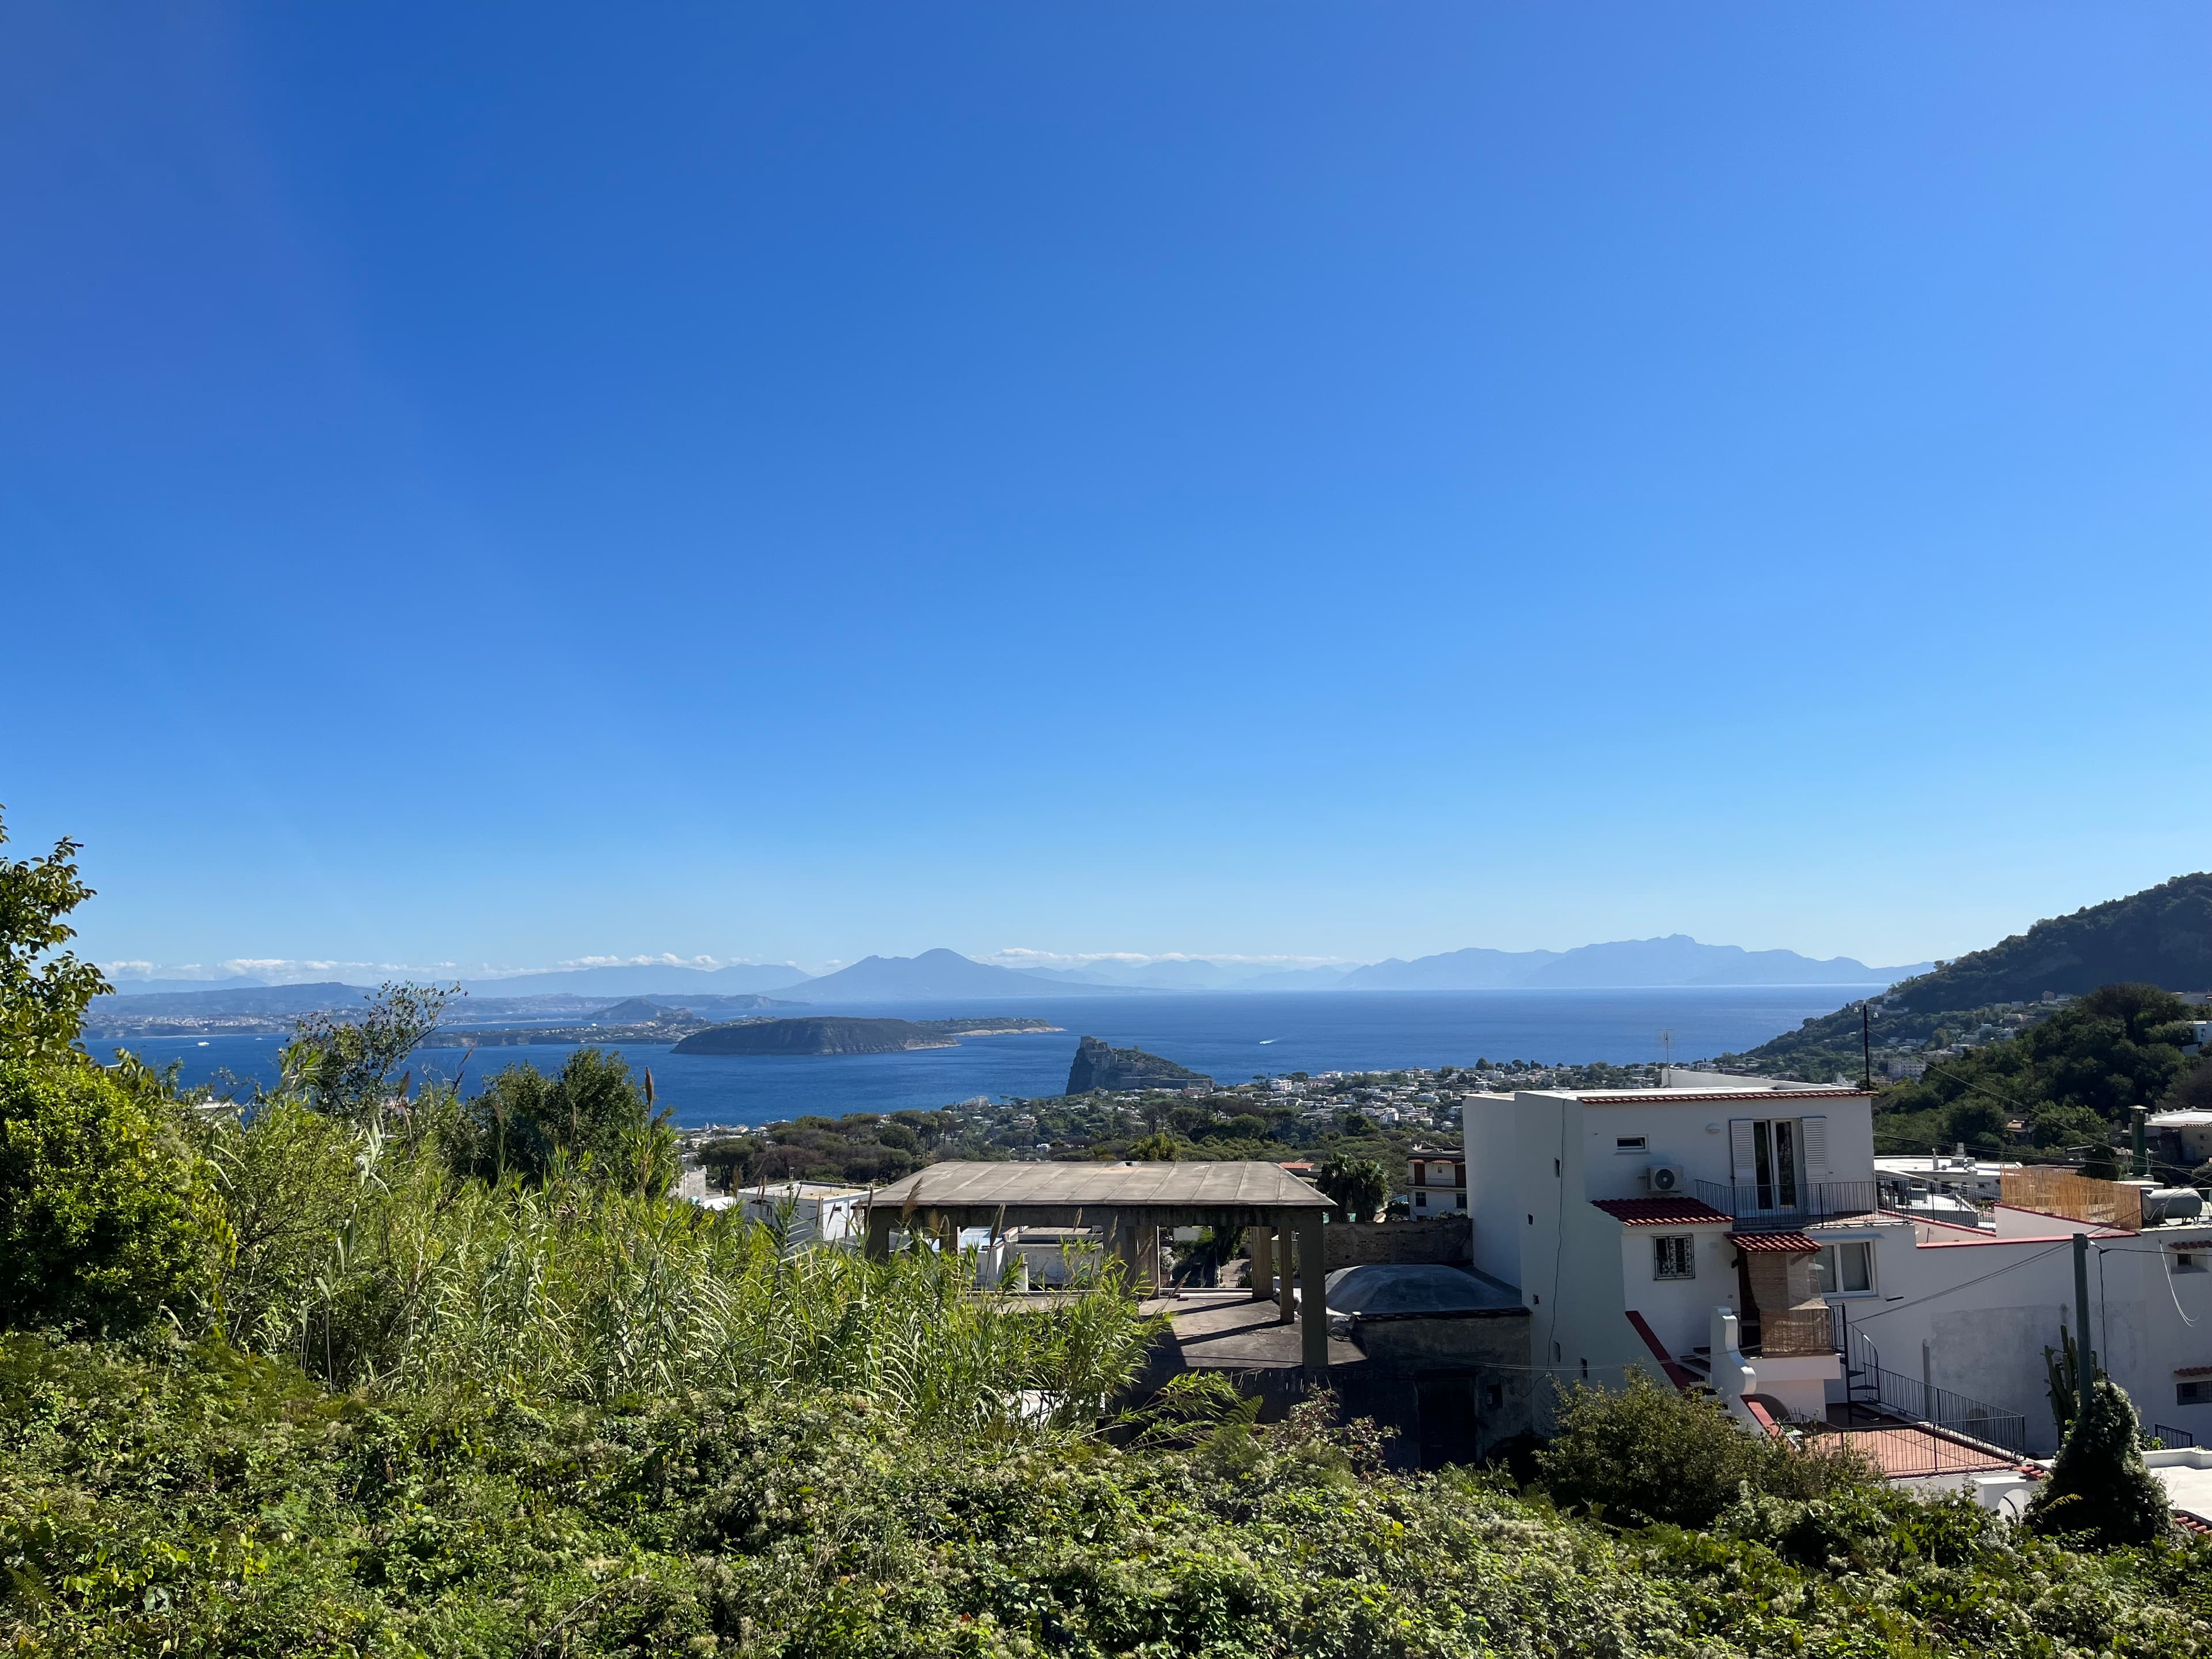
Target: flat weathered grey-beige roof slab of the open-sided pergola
1129, 1187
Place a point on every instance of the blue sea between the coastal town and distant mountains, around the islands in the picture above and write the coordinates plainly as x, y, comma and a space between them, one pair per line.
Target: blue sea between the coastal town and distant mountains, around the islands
1231, 1036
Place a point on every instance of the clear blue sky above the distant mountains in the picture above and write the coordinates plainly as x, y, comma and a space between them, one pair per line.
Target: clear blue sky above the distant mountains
528, 483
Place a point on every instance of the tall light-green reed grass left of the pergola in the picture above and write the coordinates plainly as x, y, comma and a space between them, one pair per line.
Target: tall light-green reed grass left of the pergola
379, 1269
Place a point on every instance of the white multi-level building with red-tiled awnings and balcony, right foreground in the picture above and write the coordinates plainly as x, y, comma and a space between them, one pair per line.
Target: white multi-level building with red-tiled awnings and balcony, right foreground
1627, 1218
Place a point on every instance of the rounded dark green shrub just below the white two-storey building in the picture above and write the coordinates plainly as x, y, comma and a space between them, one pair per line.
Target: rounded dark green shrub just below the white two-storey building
1651, 1454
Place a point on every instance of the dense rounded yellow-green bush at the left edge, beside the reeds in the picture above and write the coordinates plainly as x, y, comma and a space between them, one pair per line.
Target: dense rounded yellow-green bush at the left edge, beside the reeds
107, 1213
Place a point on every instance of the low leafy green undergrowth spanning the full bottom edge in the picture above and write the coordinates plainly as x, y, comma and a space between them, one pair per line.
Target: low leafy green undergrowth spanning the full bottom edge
185, 1501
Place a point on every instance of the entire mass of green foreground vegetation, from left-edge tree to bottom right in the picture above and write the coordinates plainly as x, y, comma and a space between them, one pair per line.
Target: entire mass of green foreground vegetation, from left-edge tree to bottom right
333, 1386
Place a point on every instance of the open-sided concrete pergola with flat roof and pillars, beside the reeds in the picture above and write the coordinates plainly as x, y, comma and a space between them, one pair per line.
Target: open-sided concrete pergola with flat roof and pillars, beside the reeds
1131, 1202
